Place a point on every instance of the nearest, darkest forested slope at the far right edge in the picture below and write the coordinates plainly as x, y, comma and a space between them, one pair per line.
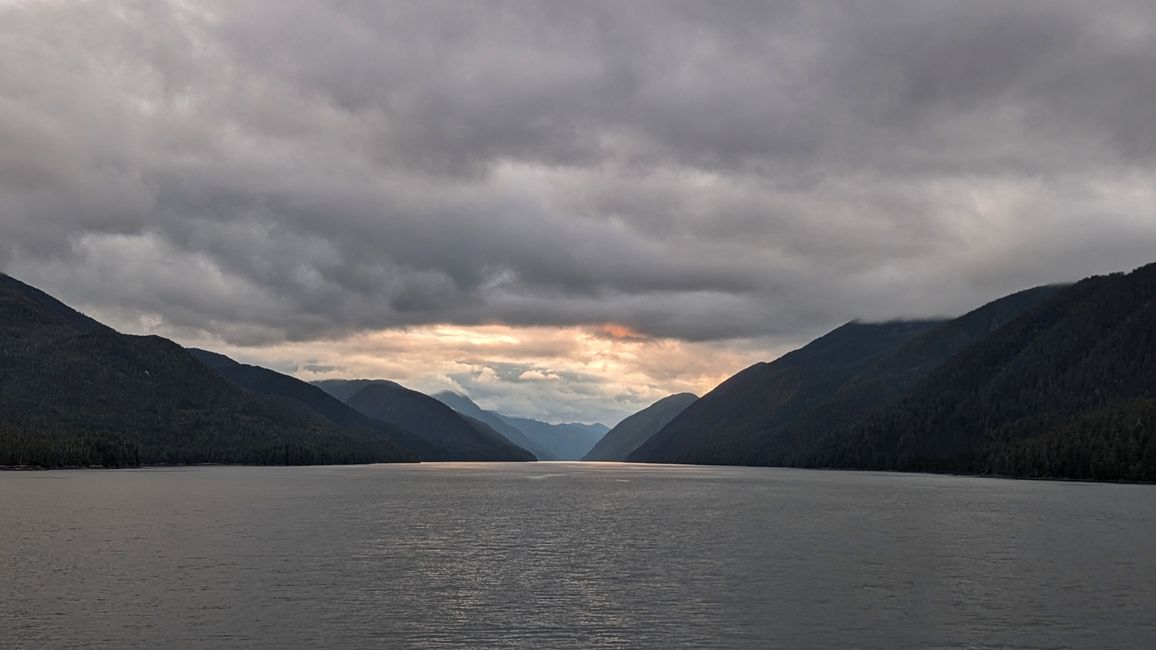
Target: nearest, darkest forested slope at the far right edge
1066, 390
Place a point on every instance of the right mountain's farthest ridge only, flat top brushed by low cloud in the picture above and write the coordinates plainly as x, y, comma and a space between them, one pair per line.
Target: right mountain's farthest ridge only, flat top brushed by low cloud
728, 425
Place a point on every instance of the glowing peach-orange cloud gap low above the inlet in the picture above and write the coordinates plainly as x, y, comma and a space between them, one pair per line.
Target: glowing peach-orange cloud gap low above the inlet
557, 374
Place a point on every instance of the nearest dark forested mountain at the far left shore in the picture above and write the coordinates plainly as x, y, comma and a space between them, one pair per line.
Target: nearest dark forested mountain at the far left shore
75, 393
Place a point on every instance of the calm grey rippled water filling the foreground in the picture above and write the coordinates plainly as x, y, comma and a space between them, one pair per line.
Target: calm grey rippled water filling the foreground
554, 555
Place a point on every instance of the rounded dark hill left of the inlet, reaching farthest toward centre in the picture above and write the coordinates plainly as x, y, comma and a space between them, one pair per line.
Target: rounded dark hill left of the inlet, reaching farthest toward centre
457, 437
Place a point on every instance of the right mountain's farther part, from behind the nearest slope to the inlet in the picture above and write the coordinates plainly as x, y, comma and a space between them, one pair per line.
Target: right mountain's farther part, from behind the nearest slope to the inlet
776, 413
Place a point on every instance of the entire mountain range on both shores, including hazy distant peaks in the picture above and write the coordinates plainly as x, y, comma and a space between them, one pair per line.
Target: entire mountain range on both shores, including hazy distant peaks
1058, 381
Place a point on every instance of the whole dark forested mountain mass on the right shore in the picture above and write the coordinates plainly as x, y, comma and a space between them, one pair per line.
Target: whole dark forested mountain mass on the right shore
1053, 382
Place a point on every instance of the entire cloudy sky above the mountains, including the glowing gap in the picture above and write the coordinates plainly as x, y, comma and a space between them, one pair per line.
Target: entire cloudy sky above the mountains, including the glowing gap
565, 210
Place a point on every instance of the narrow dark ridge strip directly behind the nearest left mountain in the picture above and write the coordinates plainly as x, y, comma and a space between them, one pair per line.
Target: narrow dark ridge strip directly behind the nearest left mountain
272, 383
